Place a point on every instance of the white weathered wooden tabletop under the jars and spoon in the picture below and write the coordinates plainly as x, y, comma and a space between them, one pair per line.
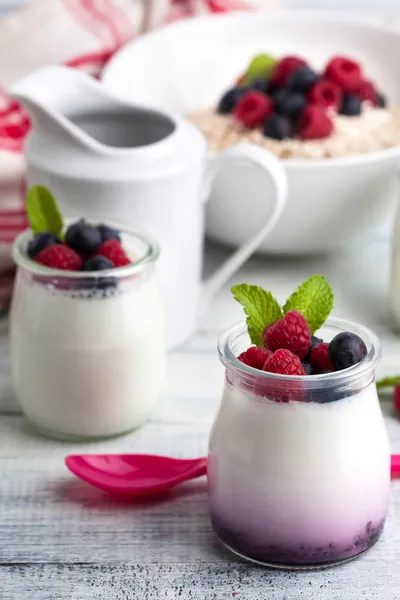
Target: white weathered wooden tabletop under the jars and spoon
62, 540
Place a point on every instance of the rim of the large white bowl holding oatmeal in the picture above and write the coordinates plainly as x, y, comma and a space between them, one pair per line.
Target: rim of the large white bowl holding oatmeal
307, 15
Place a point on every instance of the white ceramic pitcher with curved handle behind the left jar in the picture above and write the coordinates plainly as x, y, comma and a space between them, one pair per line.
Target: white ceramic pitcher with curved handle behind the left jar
105, 159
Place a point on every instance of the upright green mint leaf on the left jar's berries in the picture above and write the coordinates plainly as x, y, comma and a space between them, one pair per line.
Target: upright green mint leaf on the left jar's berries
42, 209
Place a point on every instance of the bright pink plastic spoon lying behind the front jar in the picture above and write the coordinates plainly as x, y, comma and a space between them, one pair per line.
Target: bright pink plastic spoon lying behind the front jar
146, 474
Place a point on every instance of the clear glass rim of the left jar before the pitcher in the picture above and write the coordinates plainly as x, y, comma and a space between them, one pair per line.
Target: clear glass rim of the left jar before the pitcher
150, 255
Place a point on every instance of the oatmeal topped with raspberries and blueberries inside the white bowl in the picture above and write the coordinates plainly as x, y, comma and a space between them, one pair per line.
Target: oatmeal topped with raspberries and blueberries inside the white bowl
290, 109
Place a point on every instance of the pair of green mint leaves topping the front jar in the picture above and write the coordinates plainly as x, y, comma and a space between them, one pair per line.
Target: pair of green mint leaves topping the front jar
313, 299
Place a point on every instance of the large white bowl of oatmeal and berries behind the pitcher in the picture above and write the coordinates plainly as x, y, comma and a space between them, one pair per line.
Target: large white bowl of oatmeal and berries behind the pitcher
341, 183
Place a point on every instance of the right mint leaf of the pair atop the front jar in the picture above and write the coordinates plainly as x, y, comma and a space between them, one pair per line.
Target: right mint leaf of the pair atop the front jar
313, 299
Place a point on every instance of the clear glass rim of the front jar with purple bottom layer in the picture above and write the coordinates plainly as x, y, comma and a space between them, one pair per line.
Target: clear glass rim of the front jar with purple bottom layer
369, 362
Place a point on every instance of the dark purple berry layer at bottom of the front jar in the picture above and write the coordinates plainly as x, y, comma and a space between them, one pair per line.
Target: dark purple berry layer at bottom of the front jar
298, 554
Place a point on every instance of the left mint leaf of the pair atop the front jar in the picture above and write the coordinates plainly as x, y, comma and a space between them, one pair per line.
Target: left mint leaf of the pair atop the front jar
260, 307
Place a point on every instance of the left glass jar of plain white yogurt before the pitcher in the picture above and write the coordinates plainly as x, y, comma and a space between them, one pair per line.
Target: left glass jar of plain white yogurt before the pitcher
88, 353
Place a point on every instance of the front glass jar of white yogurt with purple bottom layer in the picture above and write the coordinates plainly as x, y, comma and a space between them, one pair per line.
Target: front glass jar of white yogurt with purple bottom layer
299, 467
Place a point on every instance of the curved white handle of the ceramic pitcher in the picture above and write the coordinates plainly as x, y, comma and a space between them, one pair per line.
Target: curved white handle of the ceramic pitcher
269, 163
